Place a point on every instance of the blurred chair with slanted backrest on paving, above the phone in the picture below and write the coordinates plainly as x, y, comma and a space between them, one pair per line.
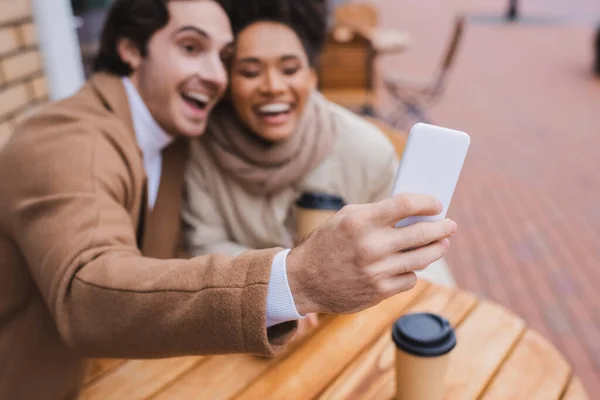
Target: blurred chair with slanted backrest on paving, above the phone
412, 95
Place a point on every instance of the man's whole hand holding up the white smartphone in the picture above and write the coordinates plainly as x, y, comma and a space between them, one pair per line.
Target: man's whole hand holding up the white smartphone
358, 258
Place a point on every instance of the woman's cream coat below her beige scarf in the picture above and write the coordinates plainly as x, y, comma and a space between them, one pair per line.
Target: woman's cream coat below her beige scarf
220, 216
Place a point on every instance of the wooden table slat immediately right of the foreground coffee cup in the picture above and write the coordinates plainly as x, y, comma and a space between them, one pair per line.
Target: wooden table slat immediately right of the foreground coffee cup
484, 340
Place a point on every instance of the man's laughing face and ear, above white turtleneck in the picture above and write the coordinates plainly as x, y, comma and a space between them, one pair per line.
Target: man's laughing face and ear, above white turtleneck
182, 75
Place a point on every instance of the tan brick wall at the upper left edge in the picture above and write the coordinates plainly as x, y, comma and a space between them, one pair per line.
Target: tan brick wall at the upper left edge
22, 81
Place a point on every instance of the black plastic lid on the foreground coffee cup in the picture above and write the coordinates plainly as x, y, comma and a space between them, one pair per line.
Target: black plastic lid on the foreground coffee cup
424, 335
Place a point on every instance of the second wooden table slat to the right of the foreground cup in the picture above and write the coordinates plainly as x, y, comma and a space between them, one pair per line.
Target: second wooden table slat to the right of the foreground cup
534, 371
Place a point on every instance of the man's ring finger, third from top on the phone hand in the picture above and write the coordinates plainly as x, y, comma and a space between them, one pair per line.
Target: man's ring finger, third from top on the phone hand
414, 260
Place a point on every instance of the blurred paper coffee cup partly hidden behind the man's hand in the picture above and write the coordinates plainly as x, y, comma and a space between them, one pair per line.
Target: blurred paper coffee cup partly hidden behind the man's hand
313, 209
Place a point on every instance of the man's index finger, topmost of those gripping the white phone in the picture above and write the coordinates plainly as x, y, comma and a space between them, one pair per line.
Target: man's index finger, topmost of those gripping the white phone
391, 210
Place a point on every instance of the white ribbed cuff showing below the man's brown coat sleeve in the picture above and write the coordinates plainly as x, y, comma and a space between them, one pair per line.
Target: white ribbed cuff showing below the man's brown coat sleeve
280, 302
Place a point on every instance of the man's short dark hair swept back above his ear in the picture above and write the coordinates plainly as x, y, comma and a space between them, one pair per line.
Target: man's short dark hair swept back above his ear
136, 20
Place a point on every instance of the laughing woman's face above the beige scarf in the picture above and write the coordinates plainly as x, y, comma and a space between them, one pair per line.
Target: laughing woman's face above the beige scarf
271, 80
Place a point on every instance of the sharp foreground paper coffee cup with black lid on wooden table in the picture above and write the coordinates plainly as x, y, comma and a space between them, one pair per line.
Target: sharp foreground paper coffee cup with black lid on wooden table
423, 345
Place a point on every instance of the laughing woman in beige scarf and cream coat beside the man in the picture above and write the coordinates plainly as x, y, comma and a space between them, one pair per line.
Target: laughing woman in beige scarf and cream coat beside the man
272, 139
